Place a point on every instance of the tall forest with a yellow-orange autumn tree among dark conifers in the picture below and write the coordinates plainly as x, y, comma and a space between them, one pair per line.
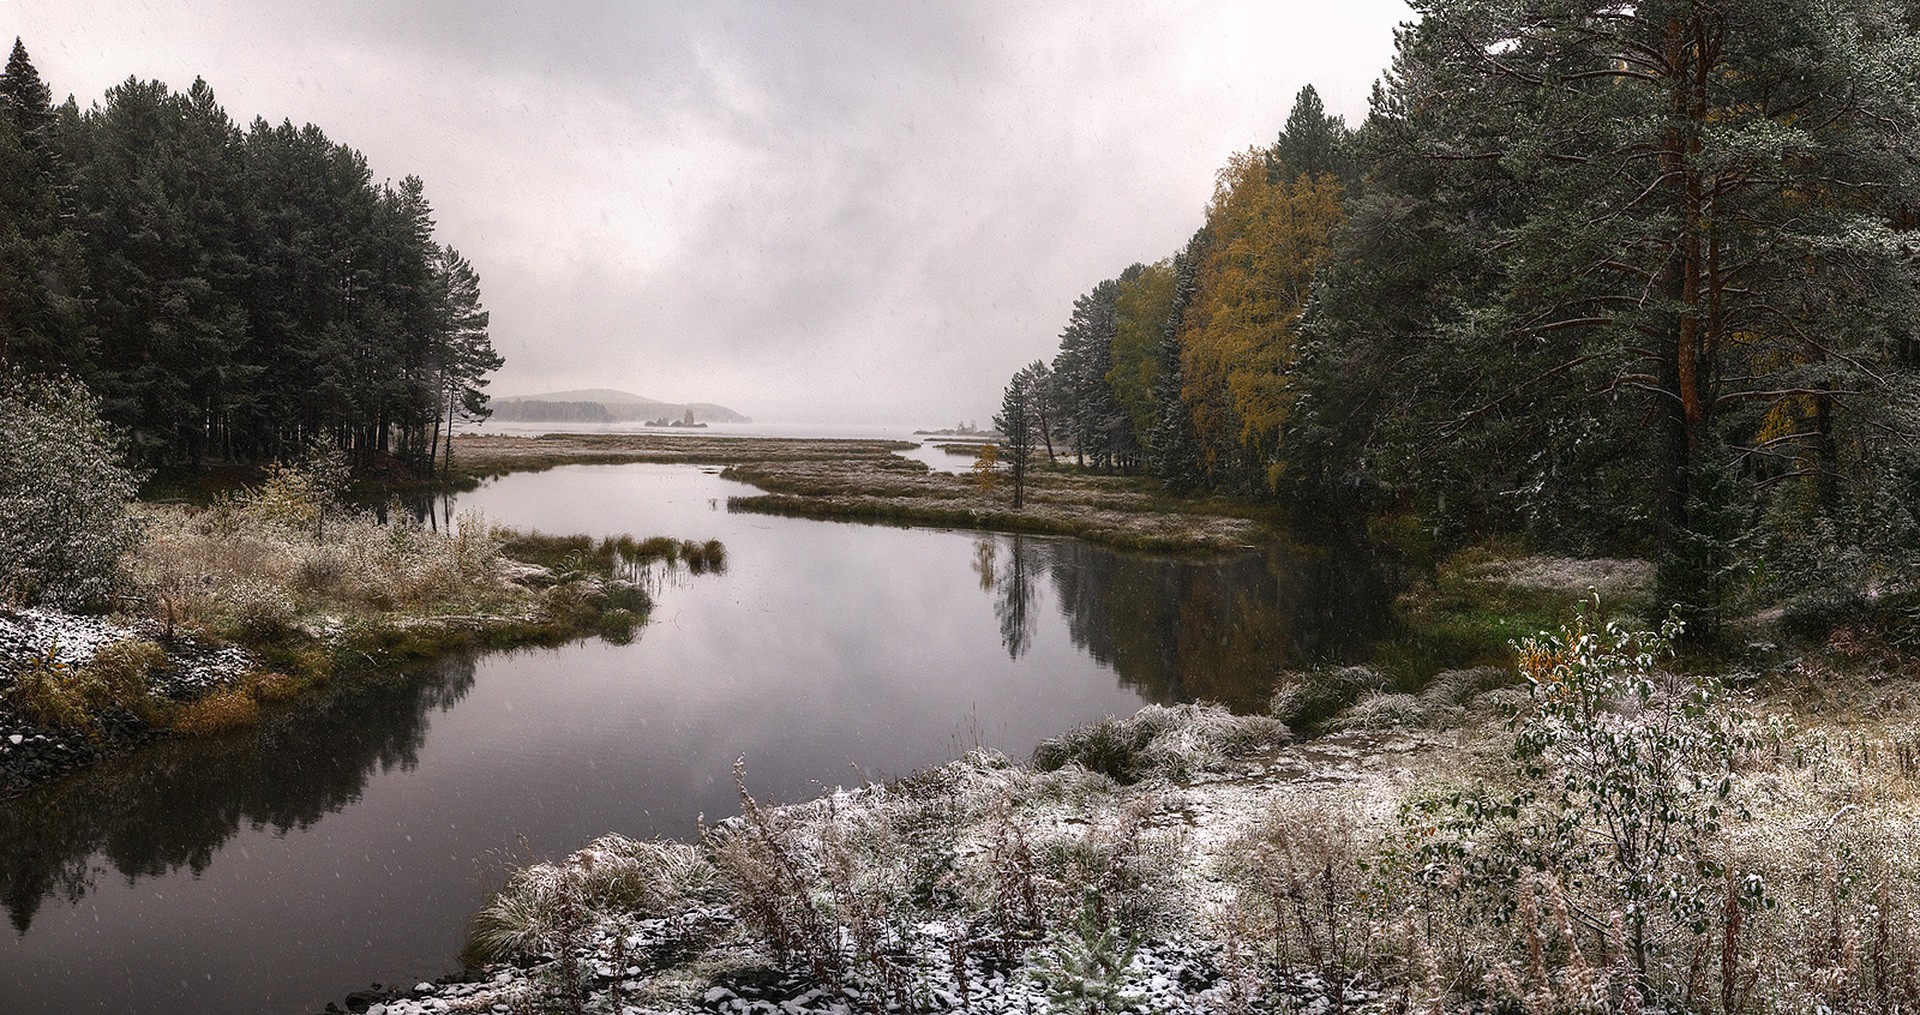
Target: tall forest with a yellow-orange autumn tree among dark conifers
1614, 277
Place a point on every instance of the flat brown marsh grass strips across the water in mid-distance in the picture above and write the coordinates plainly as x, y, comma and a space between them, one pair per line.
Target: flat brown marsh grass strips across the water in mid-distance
871, 483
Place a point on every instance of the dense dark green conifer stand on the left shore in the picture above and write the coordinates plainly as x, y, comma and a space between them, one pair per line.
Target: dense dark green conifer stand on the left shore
229, 293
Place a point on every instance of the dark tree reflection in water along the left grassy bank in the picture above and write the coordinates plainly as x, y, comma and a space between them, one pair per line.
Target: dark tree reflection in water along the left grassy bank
174, 805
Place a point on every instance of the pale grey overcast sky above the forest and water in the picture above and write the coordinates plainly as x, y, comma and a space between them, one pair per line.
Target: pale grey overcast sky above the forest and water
805, 212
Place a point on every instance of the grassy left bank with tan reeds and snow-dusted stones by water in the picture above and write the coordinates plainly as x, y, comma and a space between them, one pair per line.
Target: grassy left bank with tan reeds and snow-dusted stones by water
247, 605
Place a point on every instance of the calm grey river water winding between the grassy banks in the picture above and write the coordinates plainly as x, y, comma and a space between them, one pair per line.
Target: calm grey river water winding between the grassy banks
347, 841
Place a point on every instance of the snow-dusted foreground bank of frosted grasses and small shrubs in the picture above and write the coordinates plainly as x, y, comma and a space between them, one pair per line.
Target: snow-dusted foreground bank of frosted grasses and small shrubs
1193, 861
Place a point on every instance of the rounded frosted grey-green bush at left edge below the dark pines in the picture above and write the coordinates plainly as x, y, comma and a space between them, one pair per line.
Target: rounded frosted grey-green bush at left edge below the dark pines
64, 494
